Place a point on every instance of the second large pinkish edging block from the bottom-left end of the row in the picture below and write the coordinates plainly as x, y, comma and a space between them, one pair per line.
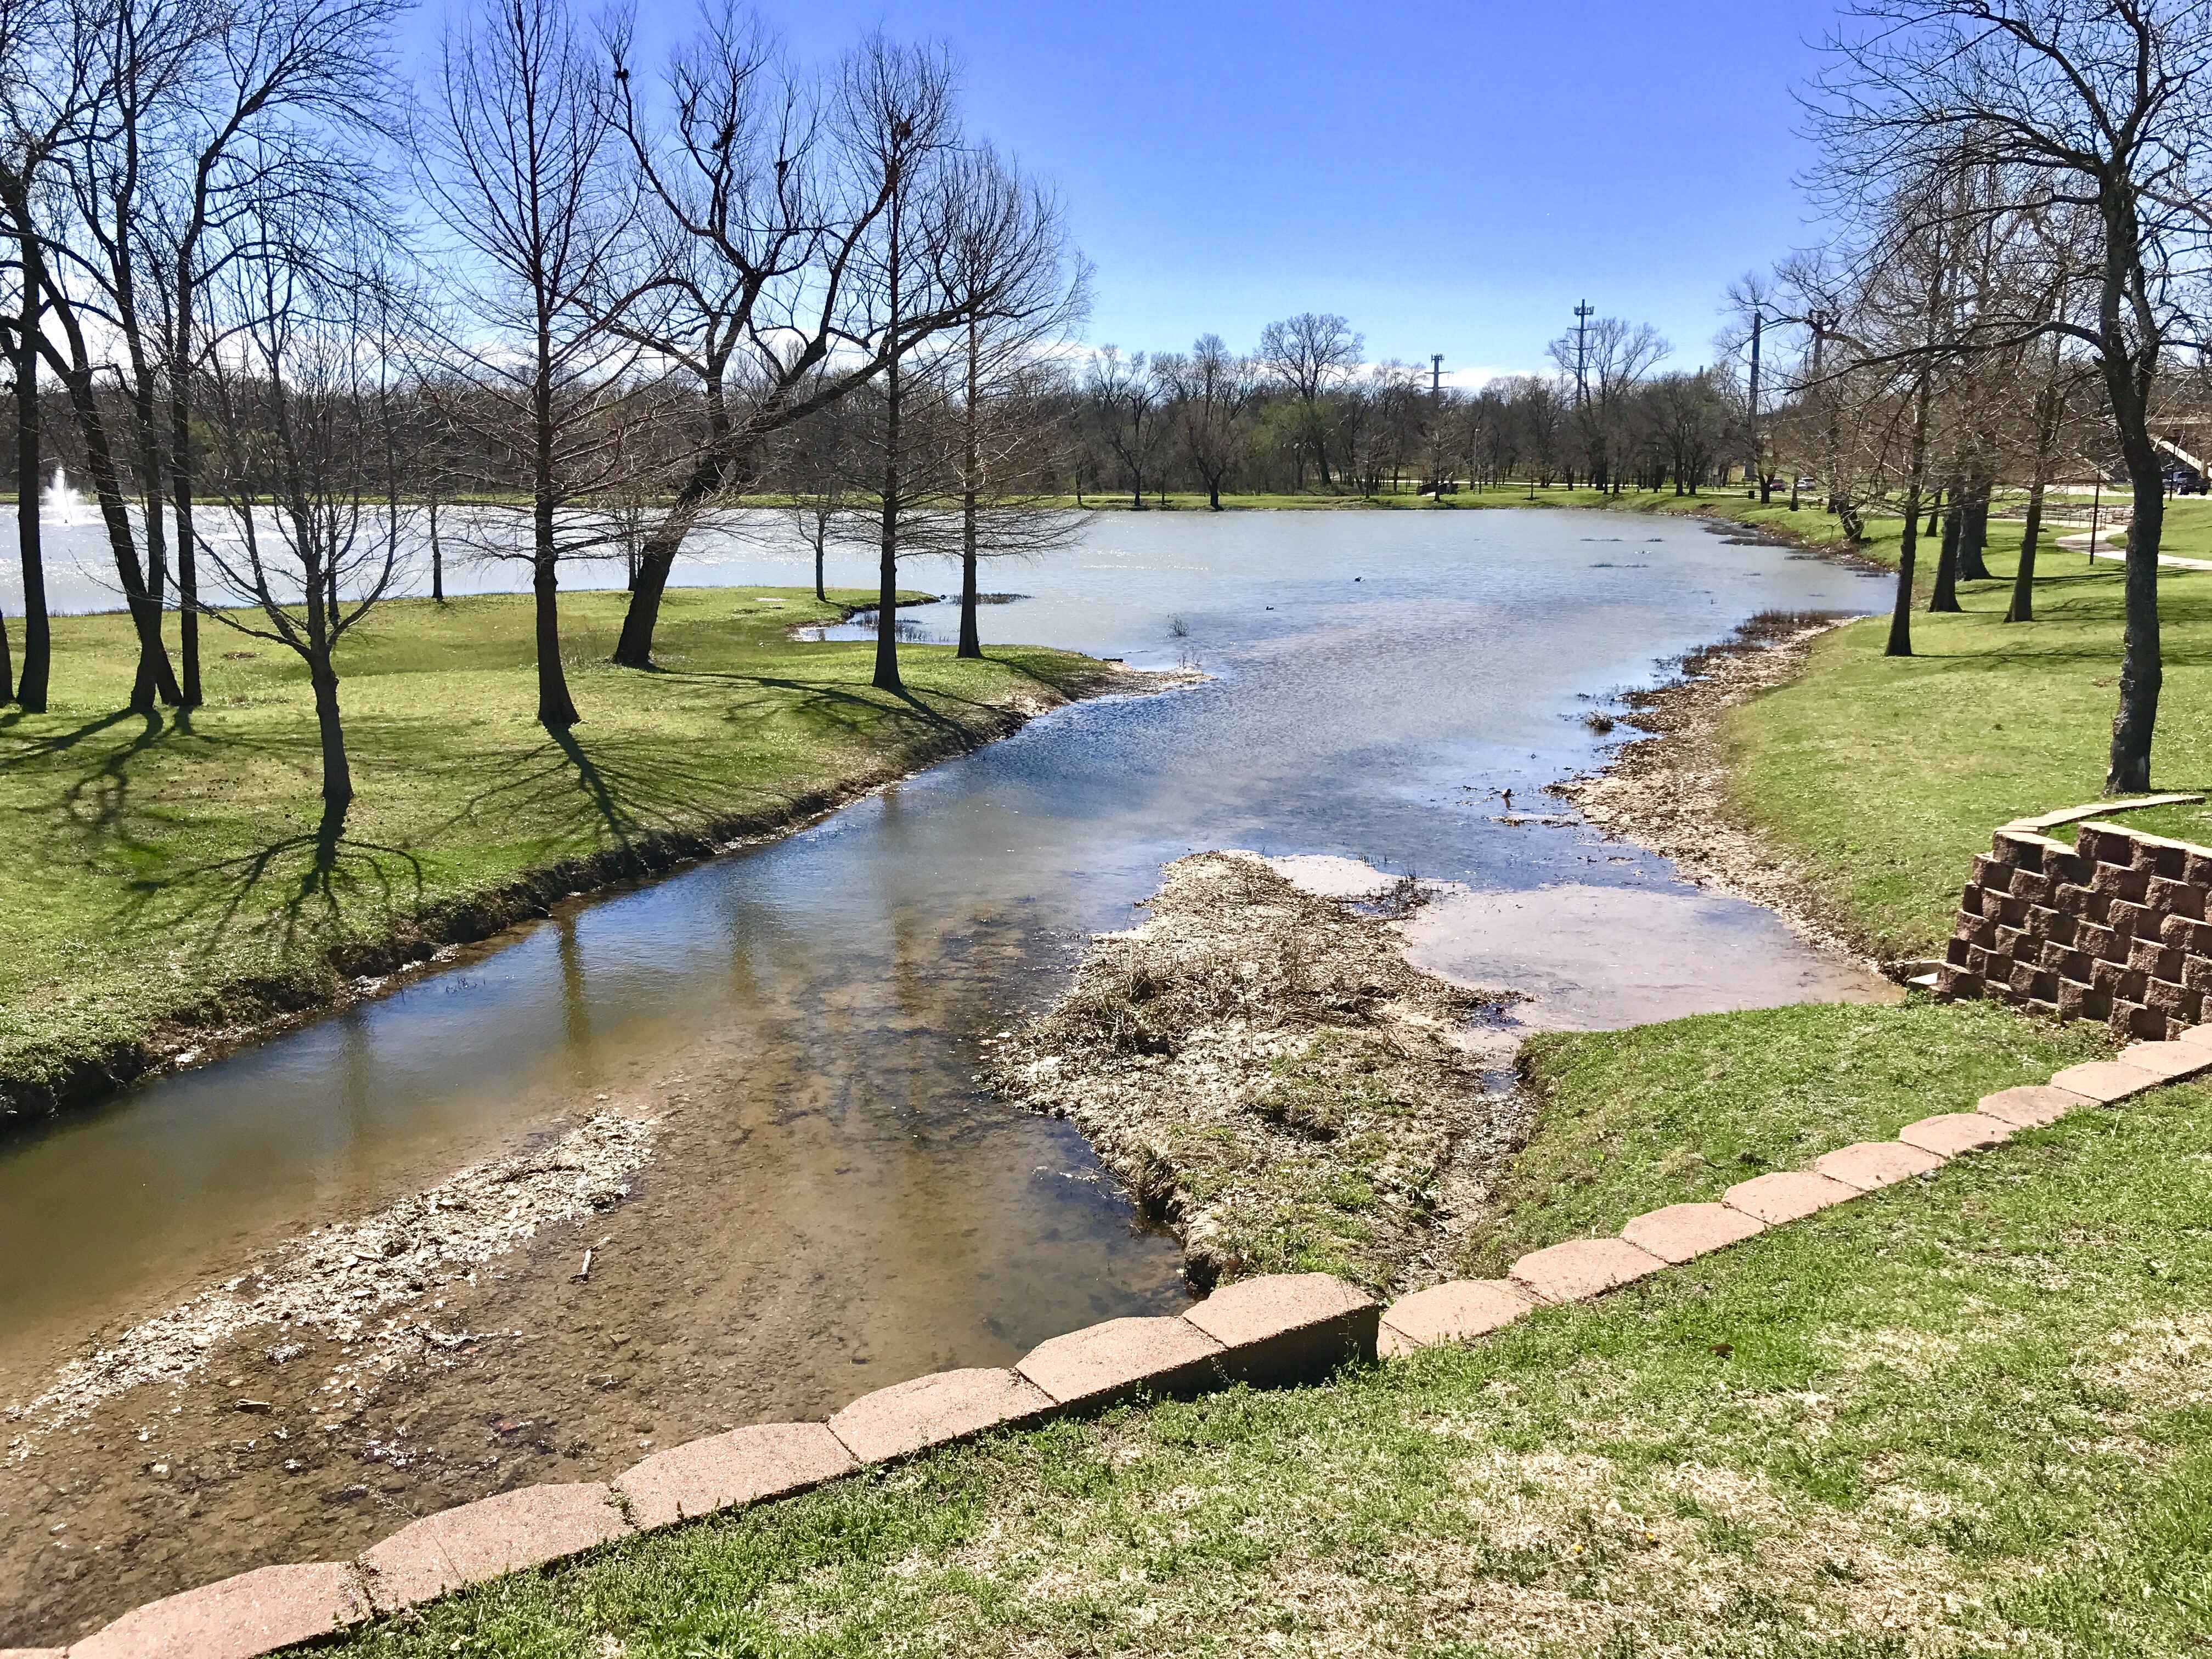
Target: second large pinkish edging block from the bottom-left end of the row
490, 1538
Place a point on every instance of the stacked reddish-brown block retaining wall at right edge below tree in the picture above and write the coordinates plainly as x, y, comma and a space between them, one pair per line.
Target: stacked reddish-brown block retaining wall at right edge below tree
2111, 928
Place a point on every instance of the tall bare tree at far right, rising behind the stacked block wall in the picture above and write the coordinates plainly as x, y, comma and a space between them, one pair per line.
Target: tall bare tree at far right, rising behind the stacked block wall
2060, 103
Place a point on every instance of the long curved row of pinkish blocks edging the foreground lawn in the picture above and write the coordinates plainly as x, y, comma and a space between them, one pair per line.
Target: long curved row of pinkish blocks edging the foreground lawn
1262, 1331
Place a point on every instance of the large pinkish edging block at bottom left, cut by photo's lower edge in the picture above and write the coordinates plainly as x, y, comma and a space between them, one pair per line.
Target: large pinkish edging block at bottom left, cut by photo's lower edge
242, 1618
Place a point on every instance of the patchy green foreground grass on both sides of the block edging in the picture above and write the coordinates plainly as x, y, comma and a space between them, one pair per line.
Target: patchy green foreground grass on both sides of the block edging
1968, 1415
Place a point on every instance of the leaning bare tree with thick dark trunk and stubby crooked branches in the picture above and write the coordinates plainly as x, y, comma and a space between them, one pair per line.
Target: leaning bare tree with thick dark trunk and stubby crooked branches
771, 202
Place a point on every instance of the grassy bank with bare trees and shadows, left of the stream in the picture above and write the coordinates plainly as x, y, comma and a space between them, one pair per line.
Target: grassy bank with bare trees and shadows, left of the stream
165, 873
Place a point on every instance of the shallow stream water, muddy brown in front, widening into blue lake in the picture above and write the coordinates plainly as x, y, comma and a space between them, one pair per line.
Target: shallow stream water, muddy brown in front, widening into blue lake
835, 1204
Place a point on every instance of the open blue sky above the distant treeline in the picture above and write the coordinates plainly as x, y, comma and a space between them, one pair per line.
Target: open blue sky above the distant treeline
1452, 178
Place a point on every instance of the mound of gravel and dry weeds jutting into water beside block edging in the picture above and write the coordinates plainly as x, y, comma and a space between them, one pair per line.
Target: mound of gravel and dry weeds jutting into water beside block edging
1269, 1076
